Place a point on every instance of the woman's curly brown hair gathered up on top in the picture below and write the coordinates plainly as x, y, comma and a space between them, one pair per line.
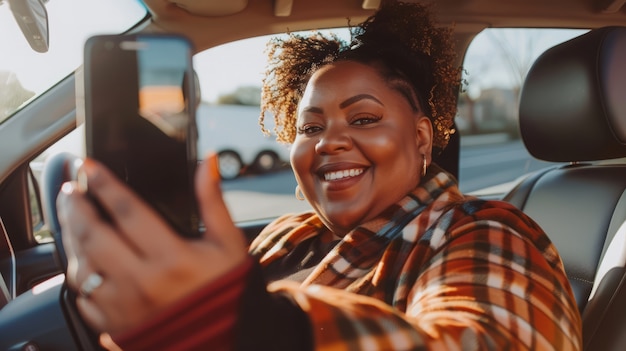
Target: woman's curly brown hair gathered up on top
400, 39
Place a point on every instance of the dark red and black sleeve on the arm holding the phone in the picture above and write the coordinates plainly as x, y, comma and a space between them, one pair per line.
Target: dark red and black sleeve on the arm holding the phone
236, 312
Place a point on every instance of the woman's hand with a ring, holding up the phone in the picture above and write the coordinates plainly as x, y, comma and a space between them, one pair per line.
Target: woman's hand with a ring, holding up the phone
145, 266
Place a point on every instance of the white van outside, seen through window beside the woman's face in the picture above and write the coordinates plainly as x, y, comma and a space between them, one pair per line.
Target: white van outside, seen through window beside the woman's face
233, 131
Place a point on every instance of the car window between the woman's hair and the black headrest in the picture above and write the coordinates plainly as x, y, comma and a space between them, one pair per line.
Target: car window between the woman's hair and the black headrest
495, 66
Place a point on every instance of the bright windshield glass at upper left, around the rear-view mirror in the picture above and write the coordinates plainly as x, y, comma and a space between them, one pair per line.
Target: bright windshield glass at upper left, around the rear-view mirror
25, 73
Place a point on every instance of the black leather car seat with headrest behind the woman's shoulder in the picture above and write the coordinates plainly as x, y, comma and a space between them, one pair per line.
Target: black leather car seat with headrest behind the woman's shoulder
573, 110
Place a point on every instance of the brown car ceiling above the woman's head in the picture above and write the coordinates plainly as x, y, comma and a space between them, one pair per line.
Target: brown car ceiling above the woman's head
212, 22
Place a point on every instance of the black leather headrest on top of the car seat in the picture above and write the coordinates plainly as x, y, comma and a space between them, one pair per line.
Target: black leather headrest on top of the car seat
573, 103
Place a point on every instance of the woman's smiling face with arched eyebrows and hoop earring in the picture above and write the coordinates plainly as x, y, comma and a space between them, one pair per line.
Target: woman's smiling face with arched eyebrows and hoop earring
359, 147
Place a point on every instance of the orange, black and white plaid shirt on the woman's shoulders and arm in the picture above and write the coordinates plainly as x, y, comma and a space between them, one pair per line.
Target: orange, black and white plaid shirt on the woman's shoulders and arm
436, 271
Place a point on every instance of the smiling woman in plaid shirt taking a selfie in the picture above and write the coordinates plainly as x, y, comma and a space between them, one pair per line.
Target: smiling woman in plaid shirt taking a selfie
392, 255
